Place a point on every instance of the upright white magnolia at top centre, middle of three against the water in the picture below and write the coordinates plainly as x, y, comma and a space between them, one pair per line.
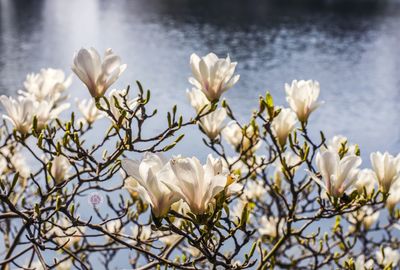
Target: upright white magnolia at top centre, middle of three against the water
212, 75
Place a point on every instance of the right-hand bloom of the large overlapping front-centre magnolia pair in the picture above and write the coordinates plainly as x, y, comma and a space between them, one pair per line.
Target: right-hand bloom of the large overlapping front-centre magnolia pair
197, 185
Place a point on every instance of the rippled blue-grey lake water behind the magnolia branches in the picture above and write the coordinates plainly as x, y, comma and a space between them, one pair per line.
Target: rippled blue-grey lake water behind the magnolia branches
353, 49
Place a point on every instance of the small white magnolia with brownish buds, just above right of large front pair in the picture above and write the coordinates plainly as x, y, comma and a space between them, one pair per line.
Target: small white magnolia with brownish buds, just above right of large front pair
234, 135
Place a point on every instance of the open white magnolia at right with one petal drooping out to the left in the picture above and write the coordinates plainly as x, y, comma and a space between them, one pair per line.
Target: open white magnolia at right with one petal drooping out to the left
337, 174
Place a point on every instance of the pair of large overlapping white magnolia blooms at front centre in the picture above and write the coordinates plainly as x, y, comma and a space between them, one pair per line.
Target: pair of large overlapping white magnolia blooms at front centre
162, 182
